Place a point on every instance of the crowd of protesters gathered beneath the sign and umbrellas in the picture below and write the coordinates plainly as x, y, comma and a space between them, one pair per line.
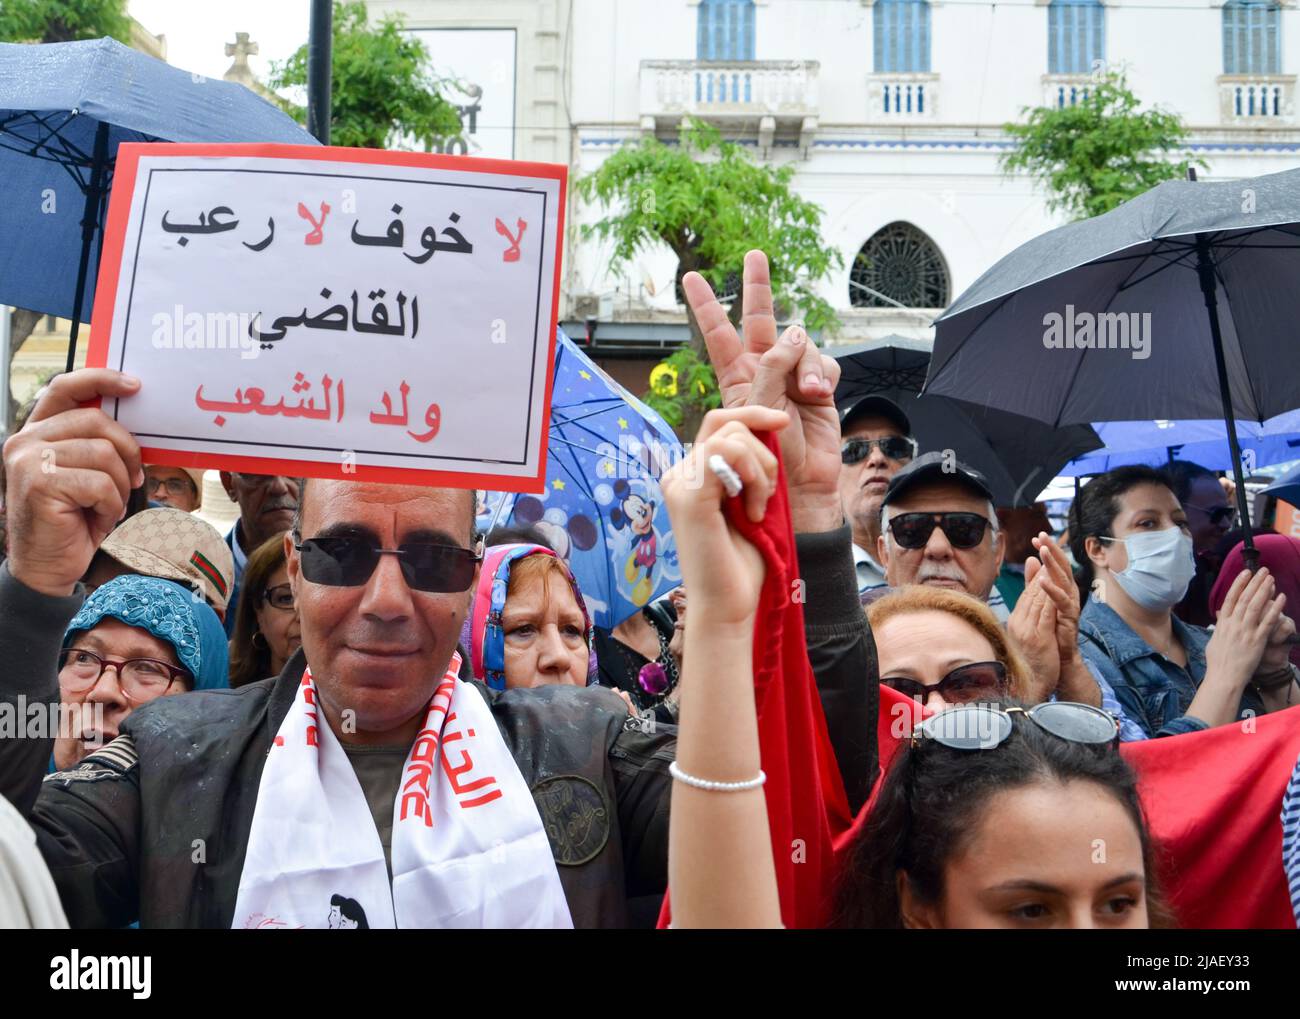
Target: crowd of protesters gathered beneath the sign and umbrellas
354, 710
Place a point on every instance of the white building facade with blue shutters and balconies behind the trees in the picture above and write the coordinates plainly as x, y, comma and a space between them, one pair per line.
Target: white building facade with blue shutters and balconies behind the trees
892, 112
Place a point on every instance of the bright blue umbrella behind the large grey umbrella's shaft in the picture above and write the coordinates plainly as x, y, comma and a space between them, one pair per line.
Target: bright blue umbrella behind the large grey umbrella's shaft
1201, 441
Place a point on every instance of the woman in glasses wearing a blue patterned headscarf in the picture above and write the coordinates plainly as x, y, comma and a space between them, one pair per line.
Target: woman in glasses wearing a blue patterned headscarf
135, 640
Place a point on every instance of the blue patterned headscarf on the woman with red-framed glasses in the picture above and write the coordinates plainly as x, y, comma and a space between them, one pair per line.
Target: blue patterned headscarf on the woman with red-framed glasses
170, 613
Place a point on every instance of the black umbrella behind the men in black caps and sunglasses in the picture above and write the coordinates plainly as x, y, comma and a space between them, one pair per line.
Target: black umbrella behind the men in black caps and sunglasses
1019, 457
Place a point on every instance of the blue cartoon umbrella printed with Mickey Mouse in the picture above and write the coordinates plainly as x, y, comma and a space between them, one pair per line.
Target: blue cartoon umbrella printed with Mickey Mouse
603, 509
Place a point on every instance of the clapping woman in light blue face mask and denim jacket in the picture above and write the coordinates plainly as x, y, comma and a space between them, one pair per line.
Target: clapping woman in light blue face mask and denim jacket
1132, 539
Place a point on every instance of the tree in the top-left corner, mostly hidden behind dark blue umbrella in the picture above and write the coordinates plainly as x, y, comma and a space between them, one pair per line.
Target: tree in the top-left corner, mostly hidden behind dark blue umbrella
54, 21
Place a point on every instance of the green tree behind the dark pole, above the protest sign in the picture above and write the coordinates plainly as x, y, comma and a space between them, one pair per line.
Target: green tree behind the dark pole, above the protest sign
384, 89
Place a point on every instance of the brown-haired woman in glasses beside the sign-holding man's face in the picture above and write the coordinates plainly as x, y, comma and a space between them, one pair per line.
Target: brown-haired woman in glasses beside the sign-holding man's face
267, 630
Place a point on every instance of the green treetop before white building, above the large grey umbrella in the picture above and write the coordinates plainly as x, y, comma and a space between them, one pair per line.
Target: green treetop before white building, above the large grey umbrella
1099, 153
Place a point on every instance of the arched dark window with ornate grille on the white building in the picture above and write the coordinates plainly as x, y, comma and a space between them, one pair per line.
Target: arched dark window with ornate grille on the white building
899, 267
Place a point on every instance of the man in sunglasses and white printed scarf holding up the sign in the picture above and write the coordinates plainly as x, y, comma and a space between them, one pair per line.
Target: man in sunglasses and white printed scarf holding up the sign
521, 808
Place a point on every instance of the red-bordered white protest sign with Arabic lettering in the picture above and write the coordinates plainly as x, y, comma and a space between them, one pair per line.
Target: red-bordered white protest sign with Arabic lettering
333, 313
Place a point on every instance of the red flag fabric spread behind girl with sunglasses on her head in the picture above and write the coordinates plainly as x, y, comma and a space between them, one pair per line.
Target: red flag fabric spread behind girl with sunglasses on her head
1214, 804
